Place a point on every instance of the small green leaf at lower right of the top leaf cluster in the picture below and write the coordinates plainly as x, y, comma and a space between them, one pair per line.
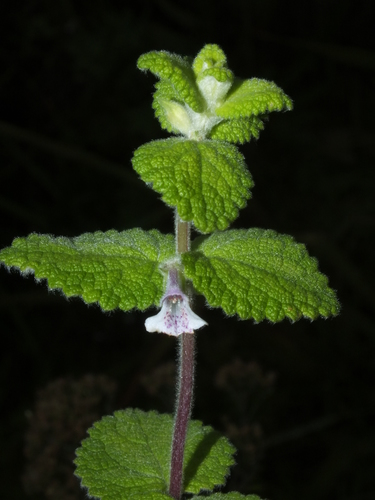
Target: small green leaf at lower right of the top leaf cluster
237, 131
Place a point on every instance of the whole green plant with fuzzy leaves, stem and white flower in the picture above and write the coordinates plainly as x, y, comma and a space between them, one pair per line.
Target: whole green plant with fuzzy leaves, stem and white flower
254, 273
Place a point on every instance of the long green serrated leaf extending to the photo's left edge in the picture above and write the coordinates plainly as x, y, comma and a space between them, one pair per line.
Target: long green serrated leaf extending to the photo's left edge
114, 269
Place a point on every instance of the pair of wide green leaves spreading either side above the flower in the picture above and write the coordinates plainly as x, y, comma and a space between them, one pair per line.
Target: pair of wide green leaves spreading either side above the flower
254, 273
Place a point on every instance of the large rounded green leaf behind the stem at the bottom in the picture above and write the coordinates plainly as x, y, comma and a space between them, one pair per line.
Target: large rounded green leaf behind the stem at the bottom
127, 456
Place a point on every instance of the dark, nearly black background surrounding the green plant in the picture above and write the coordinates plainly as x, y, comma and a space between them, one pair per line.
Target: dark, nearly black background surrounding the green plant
298, 400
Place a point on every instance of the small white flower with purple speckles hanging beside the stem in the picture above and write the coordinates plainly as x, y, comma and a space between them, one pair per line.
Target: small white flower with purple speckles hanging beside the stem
175, 316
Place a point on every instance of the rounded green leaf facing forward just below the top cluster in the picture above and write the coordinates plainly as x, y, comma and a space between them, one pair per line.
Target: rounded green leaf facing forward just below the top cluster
207, 181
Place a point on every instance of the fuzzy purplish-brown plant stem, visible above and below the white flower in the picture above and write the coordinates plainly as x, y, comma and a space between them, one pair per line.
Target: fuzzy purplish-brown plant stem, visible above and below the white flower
185, 382
